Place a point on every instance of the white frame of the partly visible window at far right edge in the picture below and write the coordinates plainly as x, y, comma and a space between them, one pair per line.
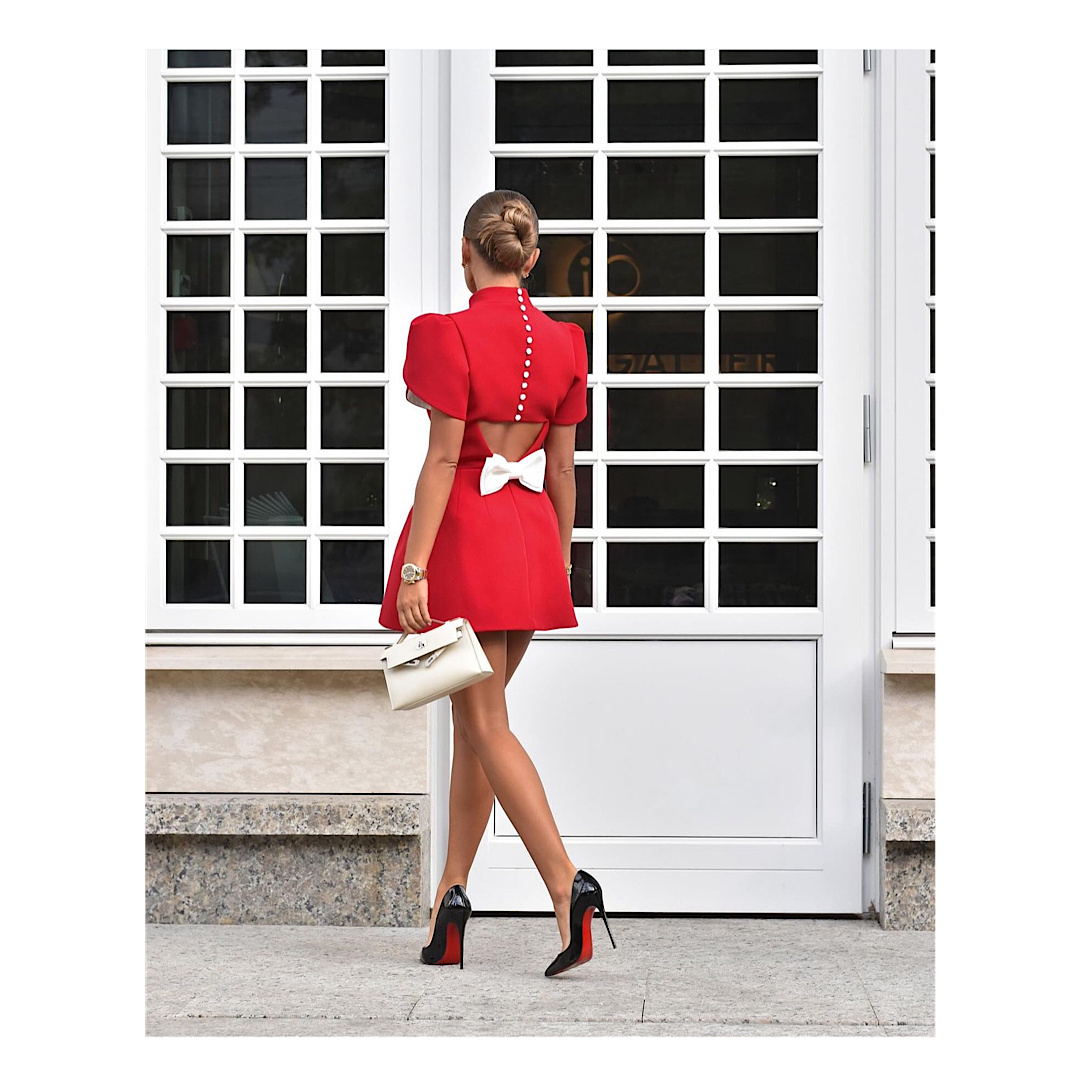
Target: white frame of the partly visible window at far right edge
907, 98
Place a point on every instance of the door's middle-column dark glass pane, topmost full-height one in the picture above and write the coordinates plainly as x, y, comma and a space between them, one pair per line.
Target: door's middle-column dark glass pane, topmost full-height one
652, 111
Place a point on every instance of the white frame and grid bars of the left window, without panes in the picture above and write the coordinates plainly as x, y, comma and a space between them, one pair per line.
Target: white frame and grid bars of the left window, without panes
408, 202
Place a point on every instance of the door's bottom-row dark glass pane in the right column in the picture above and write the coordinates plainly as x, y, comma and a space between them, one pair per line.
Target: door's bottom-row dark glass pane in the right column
768, 575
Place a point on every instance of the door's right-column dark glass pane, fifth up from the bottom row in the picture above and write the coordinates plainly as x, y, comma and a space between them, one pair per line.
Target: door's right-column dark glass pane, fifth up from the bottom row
769, 264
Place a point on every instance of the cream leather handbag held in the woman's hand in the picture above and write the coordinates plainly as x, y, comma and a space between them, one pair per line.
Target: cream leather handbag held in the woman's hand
423, 668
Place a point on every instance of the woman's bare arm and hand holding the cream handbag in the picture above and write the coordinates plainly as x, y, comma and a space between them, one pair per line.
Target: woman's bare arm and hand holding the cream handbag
433, 494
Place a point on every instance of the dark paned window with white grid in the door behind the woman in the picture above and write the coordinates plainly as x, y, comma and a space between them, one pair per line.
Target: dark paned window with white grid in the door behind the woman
681, 202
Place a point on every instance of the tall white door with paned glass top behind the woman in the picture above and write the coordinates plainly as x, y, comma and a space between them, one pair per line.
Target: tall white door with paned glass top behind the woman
705, 215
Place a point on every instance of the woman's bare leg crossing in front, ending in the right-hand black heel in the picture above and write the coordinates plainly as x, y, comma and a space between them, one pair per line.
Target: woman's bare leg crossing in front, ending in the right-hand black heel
480, 714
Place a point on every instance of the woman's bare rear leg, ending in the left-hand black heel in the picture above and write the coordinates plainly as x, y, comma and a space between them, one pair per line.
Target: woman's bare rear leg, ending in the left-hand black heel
471, 796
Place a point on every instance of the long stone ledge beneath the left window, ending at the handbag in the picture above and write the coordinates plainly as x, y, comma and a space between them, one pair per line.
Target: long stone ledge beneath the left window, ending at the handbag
246, 658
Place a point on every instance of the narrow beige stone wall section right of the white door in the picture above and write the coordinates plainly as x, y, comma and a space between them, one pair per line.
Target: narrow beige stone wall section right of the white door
910, 734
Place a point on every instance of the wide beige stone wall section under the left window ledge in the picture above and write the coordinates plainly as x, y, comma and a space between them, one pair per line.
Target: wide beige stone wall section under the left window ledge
288, 732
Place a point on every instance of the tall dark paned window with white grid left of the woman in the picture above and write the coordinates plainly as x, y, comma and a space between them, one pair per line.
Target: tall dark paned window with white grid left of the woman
271, 339
